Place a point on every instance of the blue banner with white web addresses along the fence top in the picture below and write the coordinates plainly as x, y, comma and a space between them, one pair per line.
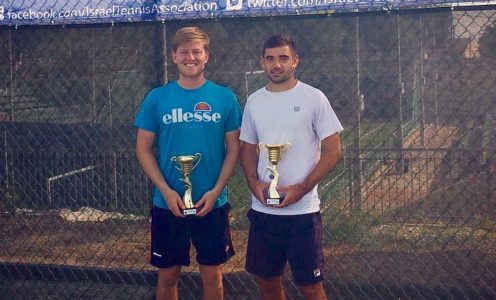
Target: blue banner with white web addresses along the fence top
108, 11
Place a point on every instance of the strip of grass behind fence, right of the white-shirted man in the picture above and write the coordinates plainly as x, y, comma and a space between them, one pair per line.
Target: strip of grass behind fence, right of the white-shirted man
367, 231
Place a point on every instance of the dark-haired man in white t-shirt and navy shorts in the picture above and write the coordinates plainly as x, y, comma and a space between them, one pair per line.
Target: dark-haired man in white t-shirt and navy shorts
287, 111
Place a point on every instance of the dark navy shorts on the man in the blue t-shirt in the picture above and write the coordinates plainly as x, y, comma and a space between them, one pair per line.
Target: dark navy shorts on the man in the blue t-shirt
171, 236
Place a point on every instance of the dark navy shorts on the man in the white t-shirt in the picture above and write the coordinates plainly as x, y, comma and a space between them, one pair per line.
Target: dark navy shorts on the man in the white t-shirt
275, 239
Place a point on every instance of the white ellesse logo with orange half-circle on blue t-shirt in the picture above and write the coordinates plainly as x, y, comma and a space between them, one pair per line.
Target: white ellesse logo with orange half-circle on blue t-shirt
202, 112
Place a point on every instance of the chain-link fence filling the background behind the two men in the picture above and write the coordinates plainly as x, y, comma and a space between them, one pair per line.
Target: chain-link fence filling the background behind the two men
409, 212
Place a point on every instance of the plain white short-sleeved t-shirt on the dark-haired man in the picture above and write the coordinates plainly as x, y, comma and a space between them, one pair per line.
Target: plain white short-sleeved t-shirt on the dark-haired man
301, 116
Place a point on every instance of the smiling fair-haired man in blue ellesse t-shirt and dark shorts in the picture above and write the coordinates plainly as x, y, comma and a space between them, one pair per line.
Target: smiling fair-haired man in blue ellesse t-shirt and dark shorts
185, 117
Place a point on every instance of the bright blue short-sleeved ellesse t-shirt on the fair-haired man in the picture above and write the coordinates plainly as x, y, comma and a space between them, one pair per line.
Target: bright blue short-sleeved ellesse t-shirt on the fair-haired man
187, 122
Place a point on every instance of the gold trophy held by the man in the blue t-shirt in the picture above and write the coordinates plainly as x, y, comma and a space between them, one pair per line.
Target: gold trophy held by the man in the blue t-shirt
186, 166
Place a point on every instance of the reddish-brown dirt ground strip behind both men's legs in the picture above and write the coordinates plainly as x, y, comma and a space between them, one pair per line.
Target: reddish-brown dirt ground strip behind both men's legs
467, 260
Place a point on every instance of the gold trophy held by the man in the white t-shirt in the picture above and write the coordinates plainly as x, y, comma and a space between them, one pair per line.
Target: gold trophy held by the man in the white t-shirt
276, 152
